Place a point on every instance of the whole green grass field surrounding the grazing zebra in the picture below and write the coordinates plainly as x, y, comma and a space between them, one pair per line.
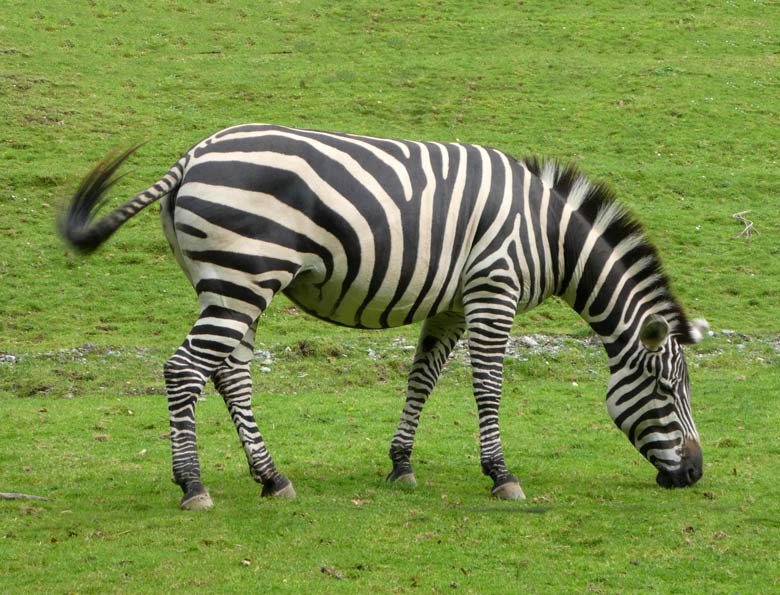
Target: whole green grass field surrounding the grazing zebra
674, 105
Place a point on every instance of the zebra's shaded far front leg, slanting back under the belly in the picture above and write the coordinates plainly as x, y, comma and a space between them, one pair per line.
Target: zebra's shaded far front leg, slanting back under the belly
438, 336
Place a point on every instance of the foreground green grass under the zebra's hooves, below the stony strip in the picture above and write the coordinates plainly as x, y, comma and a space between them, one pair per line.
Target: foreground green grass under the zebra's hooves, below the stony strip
594, 519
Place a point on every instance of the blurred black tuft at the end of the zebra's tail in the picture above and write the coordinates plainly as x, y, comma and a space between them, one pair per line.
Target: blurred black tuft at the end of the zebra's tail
75, 223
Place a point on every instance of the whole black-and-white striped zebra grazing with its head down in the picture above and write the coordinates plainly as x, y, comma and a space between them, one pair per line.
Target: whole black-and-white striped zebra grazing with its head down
376, 233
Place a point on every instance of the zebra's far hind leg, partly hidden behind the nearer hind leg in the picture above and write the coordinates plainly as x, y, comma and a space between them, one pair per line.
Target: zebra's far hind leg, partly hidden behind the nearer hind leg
234, 382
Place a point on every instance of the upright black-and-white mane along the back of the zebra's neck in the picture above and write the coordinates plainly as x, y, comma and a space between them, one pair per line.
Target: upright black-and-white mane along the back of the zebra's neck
597, 204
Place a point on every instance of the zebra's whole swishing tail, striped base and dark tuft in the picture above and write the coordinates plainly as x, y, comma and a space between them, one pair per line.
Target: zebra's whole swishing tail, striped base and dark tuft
77, 225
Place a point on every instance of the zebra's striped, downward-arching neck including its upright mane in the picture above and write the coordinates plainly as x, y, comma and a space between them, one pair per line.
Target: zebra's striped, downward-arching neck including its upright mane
602, 263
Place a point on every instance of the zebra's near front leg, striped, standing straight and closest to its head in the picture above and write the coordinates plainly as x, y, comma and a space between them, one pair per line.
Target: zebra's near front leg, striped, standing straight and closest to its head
488, 334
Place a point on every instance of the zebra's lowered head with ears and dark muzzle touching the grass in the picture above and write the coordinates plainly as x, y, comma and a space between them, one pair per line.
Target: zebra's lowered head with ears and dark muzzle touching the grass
649, 399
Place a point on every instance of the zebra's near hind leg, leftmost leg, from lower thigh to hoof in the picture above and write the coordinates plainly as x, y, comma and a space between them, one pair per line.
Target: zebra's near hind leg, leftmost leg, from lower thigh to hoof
214, 336
